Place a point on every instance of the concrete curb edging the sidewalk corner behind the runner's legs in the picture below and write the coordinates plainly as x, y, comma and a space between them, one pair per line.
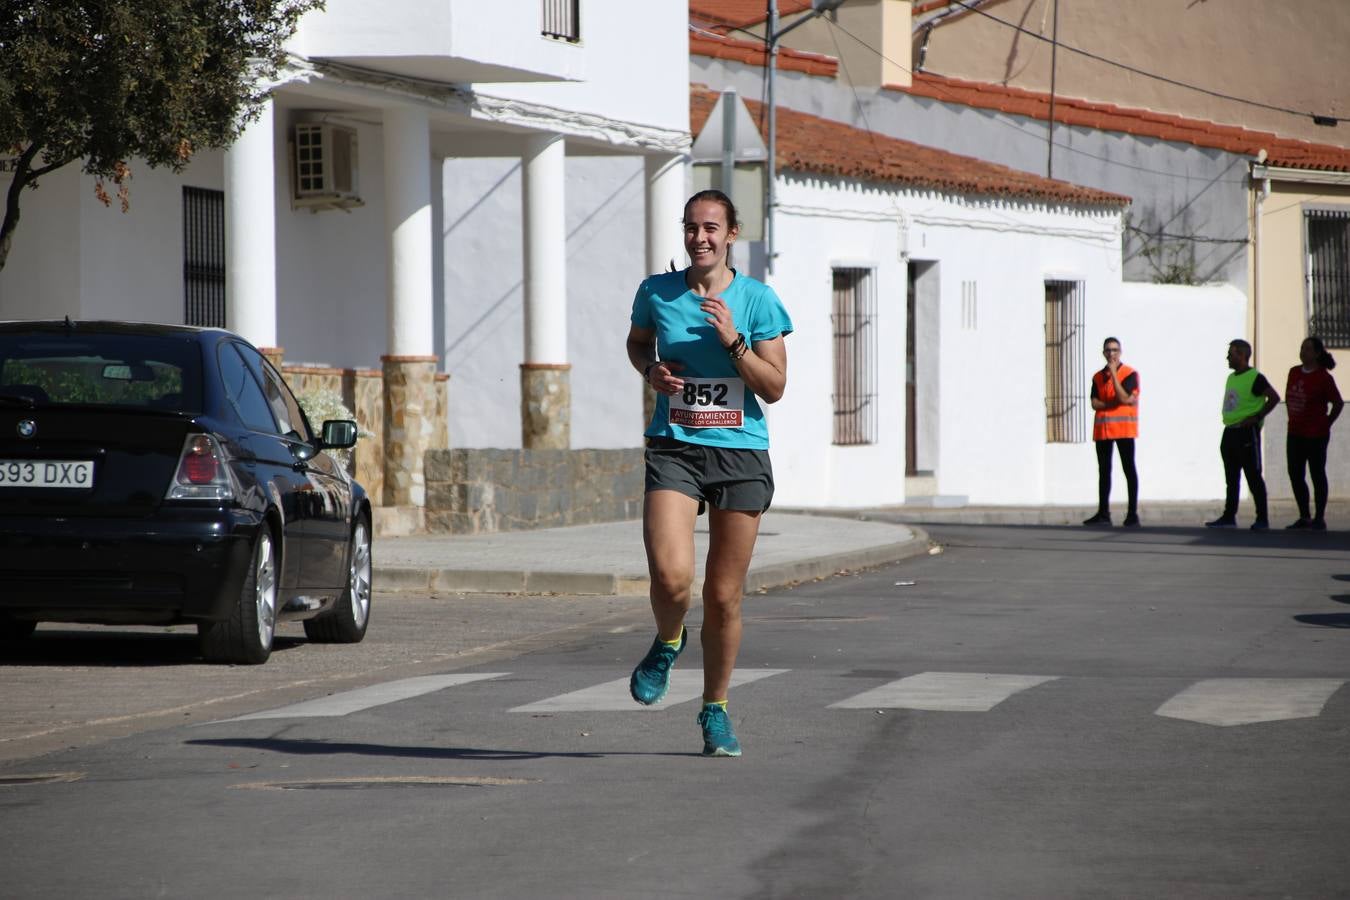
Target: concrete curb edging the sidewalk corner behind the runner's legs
445, 581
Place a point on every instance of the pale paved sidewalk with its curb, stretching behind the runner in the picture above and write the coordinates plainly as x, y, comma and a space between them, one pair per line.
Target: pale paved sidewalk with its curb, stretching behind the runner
794, 546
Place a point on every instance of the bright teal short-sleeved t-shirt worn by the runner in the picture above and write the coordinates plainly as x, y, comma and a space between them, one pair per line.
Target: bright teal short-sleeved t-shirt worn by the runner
716, 408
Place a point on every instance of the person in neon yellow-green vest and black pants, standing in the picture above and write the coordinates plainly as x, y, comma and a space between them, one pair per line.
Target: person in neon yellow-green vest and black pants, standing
1248, 399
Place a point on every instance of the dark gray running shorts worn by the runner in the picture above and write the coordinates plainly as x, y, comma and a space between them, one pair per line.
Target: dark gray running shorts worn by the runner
728, 478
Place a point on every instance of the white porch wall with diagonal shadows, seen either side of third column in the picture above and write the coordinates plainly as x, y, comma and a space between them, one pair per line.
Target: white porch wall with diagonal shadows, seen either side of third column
484, 335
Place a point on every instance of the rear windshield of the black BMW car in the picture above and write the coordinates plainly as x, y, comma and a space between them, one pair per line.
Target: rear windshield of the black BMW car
102, 370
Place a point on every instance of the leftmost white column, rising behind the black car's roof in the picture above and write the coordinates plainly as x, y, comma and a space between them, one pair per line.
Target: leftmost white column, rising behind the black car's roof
252, 233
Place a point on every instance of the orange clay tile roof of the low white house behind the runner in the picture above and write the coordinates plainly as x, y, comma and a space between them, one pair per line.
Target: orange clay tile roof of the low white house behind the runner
827, 148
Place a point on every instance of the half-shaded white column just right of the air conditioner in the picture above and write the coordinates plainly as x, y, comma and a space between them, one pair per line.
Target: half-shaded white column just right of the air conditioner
408, 223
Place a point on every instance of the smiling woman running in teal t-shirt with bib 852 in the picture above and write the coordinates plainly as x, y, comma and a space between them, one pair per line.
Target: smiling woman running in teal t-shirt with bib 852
709, 341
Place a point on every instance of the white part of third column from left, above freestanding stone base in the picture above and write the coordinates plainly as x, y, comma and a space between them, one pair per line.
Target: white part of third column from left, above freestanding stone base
546, 250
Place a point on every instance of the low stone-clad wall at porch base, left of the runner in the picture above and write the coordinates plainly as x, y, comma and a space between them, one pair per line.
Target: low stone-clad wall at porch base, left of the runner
476, 492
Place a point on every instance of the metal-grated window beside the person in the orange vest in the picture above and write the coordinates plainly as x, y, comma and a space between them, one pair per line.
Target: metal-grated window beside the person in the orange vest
1066, 377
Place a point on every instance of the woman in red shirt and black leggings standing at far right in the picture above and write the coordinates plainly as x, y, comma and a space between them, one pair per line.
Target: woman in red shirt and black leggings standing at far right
1314, 403
